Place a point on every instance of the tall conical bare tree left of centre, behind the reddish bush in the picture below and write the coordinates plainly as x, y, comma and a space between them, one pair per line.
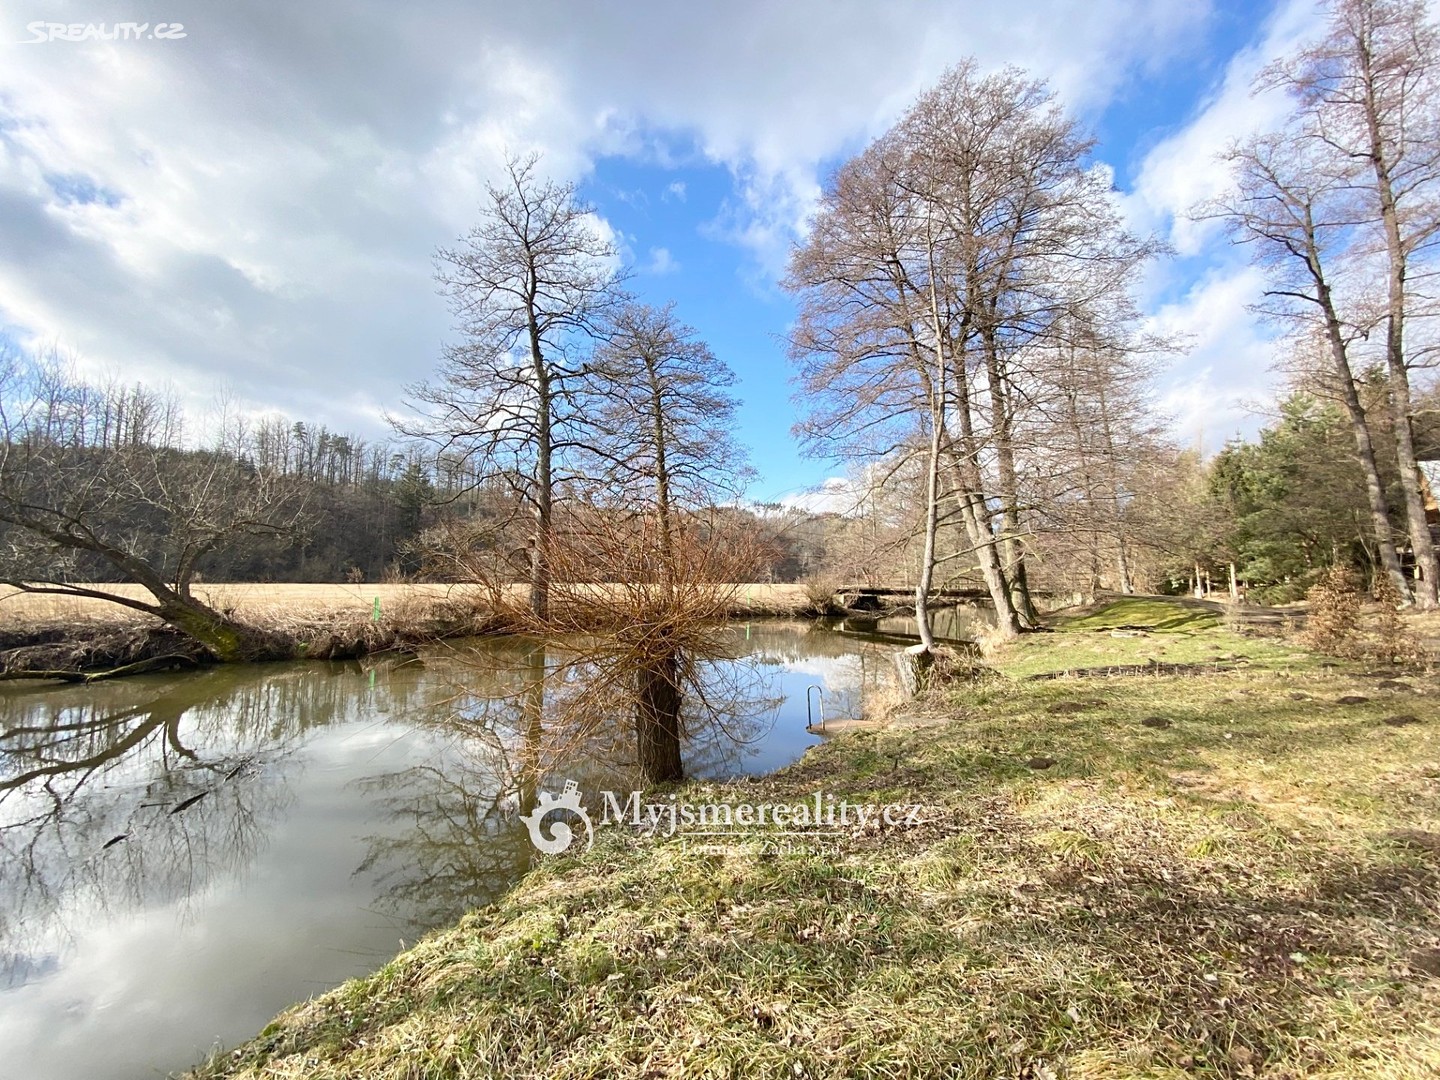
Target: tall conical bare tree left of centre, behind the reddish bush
529, 287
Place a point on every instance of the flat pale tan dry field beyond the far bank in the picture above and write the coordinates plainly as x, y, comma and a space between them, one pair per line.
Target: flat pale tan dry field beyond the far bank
269, 603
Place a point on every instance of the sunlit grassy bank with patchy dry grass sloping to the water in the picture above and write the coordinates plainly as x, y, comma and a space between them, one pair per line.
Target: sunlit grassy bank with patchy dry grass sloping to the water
1230, 872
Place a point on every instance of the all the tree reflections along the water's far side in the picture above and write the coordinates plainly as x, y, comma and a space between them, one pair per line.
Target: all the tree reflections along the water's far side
194, 771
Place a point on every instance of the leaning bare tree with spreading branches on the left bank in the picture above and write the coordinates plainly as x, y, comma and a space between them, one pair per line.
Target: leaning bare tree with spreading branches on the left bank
80, 505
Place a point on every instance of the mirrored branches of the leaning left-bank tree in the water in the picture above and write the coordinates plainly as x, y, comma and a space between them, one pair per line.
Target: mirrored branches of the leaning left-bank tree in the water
125, 796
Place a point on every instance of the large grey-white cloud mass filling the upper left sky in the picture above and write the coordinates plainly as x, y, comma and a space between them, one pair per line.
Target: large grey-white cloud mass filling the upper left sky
286, 172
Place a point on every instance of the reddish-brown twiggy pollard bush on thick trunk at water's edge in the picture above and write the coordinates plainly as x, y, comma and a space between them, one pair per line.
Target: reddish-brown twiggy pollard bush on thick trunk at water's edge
636, 610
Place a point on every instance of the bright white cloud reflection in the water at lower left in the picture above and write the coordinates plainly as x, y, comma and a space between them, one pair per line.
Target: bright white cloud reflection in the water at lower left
220, 960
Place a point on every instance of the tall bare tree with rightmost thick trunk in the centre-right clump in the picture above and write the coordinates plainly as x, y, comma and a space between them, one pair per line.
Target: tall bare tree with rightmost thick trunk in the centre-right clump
1029, 238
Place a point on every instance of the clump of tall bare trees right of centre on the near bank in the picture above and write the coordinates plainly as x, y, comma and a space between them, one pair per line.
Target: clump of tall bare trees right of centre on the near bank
964, 316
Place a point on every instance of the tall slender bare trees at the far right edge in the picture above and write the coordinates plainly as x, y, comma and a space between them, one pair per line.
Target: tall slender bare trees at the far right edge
1343, 208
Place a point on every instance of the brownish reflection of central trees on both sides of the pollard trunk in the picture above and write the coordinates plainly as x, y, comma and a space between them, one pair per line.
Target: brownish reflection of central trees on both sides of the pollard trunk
532, 719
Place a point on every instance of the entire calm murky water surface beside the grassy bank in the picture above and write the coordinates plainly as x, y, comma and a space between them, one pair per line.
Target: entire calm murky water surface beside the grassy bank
185, 856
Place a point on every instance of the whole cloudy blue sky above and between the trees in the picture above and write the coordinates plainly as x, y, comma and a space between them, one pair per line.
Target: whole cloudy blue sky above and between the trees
244, 201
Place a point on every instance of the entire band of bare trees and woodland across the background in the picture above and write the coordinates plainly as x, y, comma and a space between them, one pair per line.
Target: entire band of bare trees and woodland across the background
966, 338
